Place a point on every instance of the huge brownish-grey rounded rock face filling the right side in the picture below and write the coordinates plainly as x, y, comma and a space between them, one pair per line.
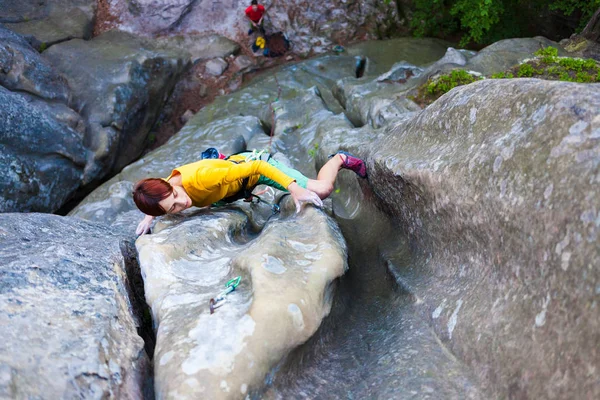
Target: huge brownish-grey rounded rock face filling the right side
501, 200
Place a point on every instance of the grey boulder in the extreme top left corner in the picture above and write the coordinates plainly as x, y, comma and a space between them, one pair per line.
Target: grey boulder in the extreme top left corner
46, 22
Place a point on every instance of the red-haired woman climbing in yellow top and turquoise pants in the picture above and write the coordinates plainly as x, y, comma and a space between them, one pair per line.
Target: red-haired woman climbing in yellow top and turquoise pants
211, 180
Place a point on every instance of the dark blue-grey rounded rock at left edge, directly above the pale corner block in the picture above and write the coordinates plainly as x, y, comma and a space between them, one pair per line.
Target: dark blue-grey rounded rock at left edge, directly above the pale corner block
43, 156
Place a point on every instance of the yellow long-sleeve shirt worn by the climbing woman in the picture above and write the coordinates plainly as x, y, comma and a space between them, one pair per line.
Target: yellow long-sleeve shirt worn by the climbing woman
208, 181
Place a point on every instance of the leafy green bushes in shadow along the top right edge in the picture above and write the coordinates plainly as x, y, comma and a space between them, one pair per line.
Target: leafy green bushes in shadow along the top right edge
486, 21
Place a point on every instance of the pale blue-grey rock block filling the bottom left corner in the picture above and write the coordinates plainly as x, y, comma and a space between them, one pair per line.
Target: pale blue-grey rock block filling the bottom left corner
65, 318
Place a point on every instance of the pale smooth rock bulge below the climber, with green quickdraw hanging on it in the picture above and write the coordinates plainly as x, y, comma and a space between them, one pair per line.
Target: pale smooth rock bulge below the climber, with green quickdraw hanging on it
287, 273
